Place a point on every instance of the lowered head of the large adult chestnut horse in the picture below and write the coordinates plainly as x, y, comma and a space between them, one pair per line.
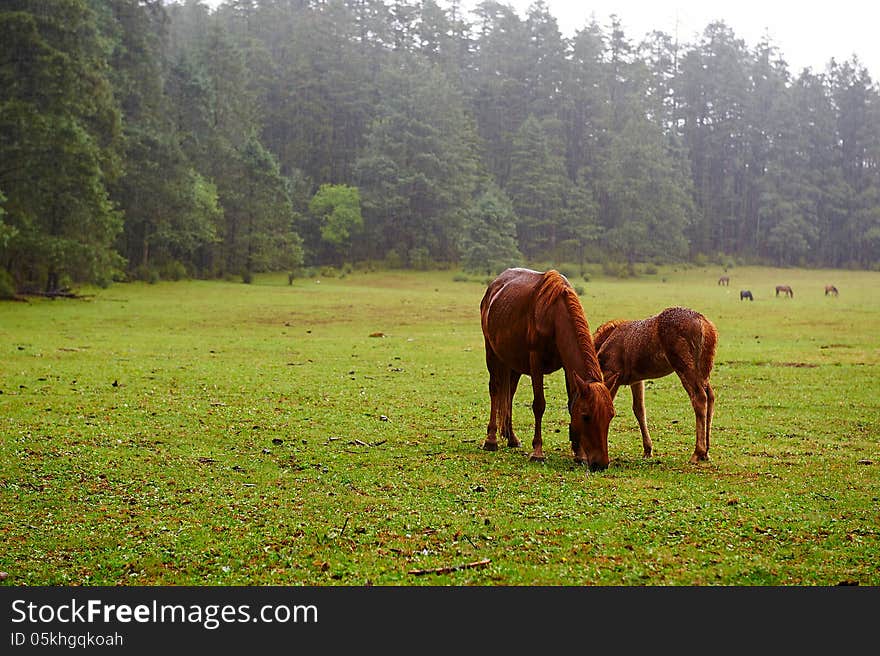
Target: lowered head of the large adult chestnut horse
591, 412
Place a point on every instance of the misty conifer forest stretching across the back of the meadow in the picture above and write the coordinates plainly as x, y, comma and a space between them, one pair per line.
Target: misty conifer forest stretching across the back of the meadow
147, 139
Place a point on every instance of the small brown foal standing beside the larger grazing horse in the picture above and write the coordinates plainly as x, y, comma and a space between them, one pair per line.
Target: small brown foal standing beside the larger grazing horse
678, 339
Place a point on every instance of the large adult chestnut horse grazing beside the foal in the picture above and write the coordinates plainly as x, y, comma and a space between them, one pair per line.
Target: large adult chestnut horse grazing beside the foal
533, 325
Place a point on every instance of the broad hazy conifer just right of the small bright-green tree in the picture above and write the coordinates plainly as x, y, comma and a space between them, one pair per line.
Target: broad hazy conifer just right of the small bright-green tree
420, 168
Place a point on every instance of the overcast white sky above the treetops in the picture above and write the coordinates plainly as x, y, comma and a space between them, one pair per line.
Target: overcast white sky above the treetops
807, 33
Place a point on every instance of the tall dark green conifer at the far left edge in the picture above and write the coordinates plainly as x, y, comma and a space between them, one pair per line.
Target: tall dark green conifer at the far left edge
60, 132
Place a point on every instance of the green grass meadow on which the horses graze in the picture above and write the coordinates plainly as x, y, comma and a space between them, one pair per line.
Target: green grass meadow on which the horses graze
329, 432
